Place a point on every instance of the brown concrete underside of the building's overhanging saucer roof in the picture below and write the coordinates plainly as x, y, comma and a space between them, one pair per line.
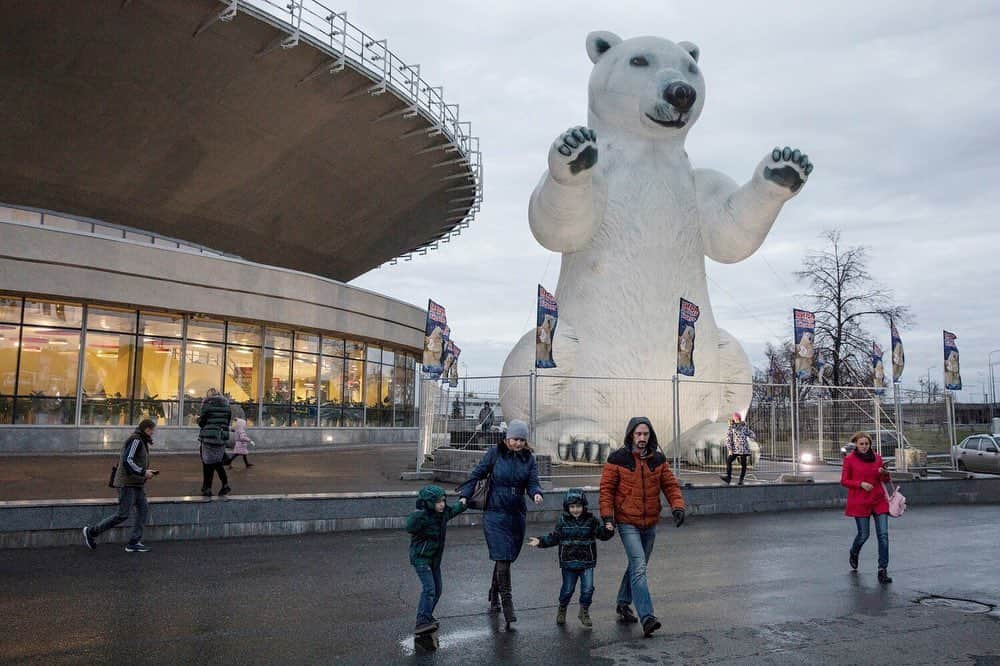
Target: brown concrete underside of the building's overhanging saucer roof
117, 111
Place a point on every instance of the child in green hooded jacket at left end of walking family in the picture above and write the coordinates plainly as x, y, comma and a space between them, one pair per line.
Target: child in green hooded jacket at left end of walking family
428, 525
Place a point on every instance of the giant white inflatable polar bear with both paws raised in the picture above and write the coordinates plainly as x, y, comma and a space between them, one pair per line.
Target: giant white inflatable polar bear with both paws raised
634, 223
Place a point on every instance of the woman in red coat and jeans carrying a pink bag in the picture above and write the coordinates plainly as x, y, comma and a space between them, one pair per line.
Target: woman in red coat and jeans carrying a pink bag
862, 475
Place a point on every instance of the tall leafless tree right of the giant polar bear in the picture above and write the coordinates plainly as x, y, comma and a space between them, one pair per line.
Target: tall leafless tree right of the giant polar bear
843, 294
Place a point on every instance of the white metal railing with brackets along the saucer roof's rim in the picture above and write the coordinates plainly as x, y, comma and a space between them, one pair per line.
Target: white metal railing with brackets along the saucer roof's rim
330, 32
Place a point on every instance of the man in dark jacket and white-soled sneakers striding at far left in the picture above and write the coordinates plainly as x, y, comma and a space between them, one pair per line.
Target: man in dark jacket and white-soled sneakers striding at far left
130, 480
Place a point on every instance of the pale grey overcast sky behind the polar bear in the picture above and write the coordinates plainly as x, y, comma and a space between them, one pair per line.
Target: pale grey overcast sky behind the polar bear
896, 104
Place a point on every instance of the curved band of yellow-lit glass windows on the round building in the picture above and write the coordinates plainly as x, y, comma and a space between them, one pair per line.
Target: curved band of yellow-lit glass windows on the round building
134, 362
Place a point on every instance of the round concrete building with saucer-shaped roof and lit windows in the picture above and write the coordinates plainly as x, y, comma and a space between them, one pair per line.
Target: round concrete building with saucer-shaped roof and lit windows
185, 189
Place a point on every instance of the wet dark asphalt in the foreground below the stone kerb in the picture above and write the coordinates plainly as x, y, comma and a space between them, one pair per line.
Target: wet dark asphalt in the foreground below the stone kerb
758, 588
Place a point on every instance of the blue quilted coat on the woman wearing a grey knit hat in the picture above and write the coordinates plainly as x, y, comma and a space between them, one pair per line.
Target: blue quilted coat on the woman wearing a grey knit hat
515, 478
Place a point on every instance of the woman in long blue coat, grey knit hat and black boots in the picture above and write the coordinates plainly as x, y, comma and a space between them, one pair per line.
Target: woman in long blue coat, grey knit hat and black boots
515, 474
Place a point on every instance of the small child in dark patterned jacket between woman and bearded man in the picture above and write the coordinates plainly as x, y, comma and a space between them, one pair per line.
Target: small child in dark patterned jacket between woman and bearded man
576, 533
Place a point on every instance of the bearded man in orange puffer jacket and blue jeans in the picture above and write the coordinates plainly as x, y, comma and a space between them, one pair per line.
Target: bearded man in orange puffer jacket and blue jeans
631, 482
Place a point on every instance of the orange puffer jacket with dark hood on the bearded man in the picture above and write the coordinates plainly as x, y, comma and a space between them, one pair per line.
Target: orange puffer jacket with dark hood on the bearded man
631, 486
